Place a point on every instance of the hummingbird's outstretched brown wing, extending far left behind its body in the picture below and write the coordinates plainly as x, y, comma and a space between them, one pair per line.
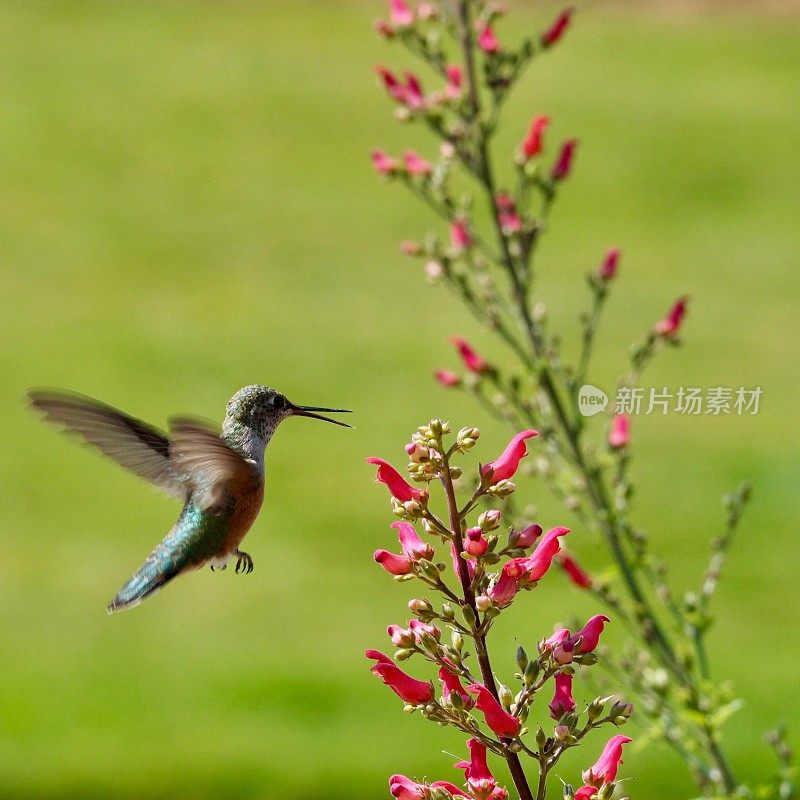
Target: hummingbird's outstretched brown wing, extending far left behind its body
135, 445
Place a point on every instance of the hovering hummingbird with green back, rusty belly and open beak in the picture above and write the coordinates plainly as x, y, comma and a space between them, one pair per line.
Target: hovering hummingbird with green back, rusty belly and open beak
219, 477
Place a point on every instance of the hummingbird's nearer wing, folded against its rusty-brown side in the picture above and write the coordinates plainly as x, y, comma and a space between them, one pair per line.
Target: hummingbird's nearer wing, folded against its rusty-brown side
216, 473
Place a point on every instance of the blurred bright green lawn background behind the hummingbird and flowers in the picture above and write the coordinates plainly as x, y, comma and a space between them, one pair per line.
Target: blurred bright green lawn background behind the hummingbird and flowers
188, 207
